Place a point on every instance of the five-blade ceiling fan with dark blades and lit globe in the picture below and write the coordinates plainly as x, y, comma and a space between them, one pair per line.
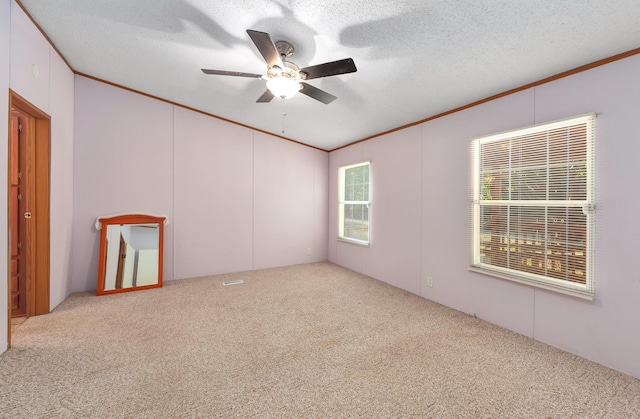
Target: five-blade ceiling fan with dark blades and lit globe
284, 78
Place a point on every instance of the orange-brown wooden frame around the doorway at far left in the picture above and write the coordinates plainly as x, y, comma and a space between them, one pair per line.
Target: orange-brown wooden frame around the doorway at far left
38, 153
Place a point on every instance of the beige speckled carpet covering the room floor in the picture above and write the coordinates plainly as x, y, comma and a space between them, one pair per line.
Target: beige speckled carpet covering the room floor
311, 340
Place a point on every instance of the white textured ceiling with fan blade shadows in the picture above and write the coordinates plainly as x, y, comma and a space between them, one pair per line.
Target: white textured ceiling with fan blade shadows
415, 58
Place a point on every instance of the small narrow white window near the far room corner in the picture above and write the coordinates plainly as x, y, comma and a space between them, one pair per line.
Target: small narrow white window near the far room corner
354, 202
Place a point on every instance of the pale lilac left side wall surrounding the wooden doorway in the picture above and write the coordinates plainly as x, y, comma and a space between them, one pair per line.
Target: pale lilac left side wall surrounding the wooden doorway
51, 90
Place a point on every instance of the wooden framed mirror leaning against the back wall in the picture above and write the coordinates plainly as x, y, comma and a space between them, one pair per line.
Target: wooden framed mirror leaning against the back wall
130, 253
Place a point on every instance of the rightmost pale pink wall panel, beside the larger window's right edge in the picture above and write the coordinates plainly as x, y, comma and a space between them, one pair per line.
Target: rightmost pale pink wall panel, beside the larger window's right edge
605, 328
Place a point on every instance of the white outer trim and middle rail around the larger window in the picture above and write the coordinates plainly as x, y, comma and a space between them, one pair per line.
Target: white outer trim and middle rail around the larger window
585, 291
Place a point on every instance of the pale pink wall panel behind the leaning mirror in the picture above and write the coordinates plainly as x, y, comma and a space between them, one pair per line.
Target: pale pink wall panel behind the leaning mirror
122, 163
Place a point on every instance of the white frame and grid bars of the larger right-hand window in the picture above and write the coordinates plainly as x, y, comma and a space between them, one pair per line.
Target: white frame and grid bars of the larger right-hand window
566, 286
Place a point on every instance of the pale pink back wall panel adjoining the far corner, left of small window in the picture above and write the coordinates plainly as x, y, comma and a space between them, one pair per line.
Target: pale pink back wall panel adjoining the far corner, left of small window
290, 203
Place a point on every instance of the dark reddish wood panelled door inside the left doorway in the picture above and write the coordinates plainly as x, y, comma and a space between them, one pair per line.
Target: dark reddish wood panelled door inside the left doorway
17, 226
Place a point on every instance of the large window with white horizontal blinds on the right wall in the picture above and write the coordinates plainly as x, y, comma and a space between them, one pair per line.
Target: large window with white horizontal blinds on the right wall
532, 205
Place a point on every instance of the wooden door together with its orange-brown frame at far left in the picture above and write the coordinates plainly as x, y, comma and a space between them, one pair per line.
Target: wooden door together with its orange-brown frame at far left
29, 161
